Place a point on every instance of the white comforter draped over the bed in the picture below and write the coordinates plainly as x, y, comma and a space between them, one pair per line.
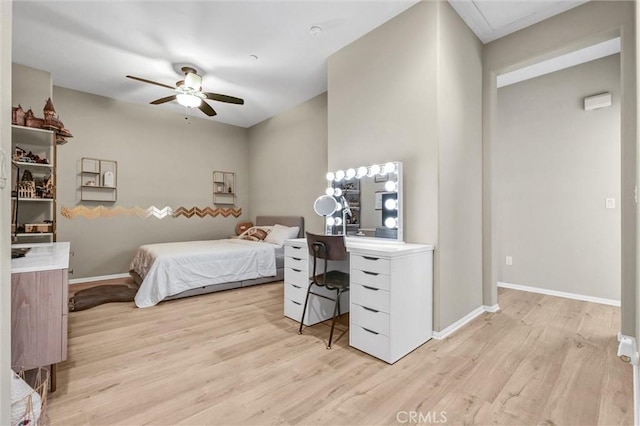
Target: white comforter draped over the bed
172, 268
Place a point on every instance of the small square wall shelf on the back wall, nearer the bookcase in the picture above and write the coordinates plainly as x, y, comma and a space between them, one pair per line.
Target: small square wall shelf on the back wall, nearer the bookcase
98, 180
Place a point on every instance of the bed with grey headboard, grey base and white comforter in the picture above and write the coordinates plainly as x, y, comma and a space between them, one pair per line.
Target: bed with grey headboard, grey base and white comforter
175, 270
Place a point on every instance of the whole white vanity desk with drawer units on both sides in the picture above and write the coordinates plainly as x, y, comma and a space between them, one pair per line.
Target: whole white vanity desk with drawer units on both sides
390, 298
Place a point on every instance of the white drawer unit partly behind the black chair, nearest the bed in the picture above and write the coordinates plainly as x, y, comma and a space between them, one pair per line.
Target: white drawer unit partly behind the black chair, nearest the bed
297, 270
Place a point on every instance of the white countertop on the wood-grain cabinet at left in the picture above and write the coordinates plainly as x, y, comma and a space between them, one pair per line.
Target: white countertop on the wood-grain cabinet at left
41, 257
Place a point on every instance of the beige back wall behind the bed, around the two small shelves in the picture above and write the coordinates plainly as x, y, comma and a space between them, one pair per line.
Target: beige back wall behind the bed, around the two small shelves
163, 160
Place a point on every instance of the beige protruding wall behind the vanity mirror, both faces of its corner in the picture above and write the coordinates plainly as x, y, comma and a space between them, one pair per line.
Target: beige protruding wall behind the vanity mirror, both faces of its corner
410, 91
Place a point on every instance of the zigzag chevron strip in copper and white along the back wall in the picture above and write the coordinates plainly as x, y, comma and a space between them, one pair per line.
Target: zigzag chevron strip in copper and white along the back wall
152, 211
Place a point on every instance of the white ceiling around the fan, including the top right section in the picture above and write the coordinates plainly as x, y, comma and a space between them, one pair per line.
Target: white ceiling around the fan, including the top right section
91, 45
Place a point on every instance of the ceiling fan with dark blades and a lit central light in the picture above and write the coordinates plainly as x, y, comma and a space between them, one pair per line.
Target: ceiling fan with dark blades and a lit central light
189, 93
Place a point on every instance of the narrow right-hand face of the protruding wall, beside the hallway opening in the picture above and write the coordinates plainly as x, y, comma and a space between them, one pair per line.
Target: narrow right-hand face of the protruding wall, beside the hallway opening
459, 249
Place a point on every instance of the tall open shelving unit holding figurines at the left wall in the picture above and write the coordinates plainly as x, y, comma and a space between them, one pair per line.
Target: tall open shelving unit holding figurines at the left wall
33, 183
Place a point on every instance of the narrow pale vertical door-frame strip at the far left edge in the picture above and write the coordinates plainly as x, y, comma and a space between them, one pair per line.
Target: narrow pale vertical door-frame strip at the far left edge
5, 215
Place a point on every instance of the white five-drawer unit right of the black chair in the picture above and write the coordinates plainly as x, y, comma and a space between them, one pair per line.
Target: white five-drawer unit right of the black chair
391, 299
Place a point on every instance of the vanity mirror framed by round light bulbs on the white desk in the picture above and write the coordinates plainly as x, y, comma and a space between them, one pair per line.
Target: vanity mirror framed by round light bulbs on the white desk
369, 201
